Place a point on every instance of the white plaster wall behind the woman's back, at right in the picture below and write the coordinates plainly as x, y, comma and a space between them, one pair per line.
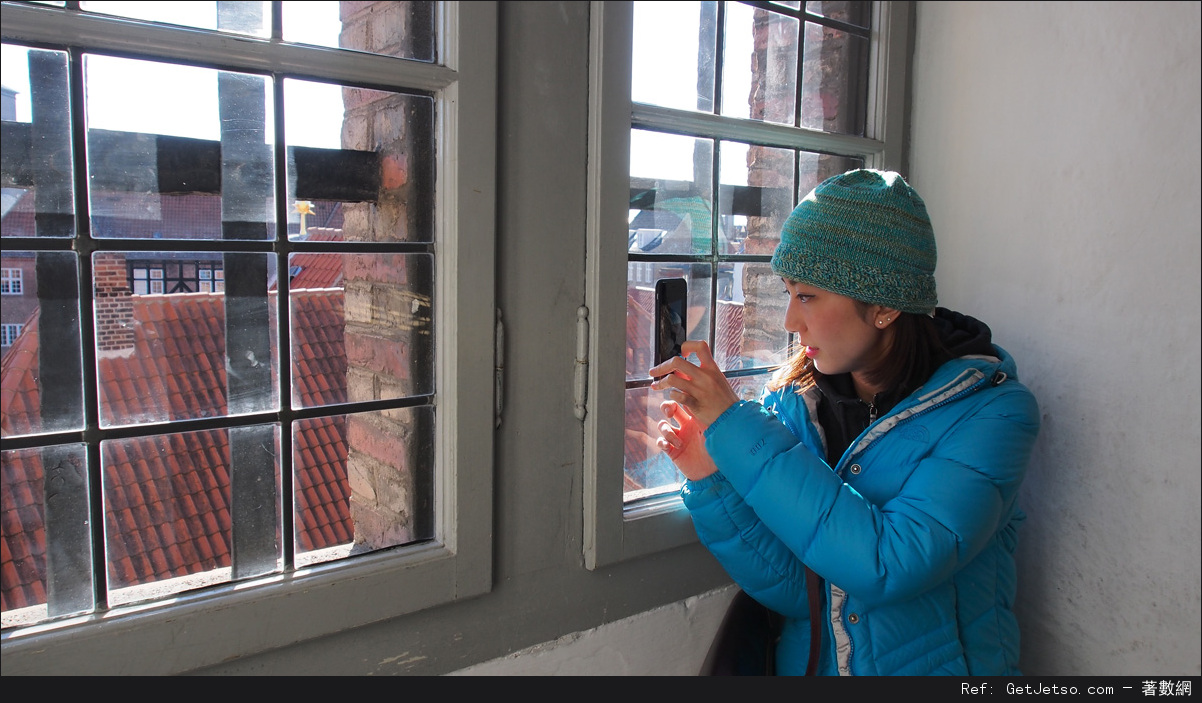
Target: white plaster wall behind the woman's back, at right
1057, 146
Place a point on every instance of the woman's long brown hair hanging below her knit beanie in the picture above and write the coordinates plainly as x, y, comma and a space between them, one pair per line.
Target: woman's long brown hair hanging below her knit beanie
915, 353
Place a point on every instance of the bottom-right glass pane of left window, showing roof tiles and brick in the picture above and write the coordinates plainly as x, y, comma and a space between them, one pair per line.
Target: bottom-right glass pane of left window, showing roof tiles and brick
364, 482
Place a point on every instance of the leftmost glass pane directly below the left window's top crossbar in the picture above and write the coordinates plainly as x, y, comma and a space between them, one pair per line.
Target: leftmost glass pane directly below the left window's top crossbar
38, 194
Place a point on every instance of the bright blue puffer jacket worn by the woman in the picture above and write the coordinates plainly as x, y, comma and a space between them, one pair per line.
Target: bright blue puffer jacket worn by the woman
914, 533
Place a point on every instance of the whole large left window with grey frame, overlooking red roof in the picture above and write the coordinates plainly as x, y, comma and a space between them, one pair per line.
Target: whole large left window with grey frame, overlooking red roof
217, 439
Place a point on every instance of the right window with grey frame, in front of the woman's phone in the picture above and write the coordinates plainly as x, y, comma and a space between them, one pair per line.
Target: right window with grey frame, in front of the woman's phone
712, 121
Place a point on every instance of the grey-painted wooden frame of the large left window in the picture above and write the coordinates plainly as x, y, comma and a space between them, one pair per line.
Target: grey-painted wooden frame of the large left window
207, 628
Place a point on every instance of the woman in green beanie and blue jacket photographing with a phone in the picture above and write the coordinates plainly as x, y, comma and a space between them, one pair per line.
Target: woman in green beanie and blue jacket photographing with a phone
884, 462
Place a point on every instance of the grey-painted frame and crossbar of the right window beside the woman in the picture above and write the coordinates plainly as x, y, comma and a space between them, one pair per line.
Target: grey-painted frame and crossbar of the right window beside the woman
615, 531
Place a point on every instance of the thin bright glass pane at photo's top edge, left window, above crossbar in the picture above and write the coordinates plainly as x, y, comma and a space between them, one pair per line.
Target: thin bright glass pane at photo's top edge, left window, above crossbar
249, 19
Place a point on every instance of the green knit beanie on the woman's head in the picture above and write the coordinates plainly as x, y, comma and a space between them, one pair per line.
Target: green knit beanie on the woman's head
865, 235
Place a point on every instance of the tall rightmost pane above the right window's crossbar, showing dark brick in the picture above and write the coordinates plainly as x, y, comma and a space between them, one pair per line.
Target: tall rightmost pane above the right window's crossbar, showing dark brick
835, 86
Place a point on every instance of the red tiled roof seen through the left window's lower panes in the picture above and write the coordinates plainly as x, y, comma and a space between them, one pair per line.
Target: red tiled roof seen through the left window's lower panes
169, 497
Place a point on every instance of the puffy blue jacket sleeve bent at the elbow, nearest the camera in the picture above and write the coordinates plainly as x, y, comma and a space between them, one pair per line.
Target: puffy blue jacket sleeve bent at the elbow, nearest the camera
956, 498
